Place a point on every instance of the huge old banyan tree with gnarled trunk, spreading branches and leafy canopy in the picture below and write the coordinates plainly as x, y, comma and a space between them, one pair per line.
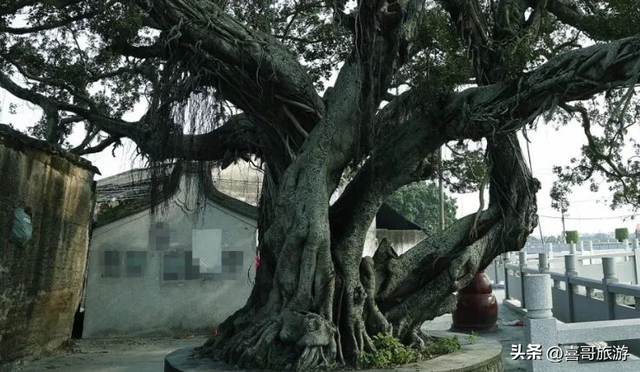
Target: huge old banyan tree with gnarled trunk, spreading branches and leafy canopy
219, 81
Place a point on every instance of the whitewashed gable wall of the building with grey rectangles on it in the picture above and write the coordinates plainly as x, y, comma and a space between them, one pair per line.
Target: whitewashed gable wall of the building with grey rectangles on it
149, 304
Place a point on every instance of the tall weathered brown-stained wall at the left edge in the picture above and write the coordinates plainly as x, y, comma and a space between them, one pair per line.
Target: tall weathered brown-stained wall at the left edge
41, 281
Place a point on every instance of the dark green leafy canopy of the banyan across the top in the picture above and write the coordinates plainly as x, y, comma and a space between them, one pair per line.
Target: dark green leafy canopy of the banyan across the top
85, 63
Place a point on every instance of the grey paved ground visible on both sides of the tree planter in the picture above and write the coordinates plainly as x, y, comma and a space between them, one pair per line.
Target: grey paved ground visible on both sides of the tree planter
147, 355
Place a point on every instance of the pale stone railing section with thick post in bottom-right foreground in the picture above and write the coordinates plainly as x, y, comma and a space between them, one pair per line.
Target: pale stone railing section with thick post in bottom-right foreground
544, 332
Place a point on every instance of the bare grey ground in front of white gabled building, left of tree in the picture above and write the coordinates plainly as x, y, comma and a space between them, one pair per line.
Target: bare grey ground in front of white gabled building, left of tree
110, 355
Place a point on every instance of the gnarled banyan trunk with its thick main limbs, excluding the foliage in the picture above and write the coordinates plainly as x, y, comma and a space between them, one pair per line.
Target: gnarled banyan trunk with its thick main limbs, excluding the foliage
316, 302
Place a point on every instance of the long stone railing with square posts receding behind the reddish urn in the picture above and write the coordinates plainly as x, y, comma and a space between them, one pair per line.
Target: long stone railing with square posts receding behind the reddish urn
583, 289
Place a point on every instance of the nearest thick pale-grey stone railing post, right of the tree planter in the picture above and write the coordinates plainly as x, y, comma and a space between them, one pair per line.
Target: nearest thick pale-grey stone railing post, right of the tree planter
541, 326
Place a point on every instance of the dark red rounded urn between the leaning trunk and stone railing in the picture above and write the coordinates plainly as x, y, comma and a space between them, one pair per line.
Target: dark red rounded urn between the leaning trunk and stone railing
477, 308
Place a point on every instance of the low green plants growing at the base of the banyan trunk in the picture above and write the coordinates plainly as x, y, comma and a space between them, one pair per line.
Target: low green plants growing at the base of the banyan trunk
390, 352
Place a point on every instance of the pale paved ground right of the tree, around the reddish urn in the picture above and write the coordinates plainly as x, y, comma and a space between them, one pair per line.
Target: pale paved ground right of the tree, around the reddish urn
506, 334
